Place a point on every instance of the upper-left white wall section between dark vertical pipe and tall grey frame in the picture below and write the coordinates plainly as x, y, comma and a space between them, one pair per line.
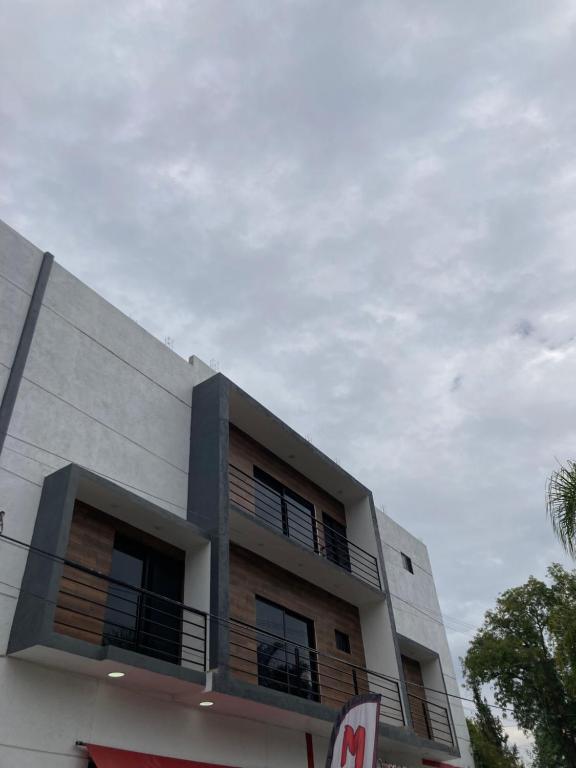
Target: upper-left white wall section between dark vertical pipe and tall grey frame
100, 391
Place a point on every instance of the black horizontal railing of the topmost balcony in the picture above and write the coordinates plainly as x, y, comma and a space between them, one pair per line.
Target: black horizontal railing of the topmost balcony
300, 524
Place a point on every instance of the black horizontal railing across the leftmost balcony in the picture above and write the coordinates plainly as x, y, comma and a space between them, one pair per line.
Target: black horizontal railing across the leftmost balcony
107, 611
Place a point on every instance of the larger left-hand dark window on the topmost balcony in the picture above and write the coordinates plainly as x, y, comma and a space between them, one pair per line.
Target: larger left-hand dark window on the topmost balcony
284, 509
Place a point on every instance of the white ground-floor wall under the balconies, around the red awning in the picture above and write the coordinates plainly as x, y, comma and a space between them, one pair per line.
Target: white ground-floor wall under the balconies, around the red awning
43, 713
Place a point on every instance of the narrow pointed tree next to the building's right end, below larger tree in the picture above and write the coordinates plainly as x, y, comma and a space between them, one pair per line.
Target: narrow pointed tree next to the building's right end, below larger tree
489, 743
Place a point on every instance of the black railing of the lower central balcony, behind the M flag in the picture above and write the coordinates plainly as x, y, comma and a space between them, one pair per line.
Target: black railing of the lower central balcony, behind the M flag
269, 660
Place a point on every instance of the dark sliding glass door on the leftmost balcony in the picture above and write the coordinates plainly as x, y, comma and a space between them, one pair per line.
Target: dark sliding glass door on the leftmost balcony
144, 623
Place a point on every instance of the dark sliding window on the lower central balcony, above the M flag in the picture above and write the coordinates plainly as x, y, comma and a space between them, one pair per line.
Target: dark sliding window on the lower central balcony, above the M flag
286, 660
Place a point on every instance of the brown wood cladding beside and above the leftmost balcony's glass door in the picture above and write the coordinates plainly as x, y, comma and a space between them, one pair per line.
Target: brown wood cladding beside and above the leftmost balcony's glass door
82, 599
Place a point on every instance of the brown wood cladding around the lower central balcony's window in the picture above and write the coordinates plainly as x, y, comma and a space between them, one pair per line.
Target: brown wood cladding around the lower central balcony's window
252, 576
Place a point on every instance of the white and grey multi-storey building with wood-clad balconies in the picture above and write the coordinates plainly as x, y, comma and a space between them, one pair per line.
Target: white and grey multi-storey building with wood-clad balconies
181, 573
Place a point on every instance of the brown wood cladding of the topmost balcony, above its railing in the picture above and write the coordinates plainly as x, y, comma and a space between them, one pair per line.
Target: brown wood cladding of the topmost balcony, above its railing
246, 453
